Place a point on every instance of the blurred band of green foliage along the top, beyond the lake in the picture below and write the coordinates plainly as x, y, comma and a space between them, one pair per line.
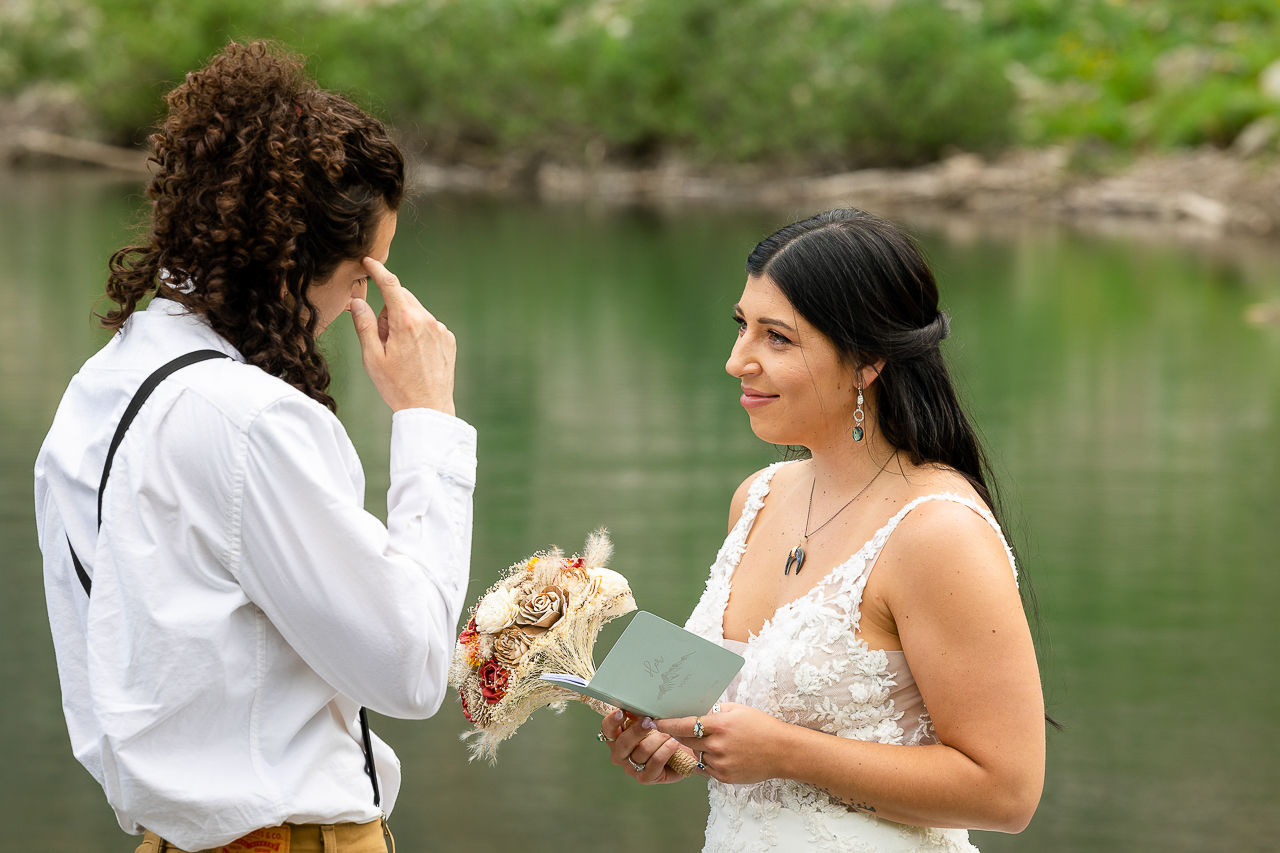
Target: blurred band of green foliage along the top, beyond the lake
826, 84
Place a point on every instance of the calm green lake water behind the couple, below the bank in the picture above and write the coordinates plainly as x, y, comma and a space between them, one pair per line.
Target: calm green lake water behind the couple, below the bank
1132, 413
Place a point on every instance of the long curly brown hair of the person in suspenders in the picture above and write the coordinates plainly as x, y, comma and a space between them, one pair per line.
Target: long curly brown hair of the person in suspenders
266, 185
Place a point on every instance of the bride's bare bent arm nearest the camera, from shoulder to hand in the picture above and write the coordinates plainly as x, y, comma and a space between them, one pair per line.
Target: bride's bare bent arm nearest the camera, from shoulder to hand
947, 583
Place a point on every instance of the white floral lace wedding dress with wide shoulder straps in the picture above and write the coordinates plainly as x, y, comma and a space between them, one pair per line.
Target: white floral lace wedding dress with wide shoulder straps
807, 667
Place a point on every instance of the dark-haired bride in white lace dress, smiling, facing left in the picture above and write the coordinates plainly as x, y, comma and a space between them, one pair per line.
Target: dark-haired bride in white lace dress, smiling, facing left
890, 699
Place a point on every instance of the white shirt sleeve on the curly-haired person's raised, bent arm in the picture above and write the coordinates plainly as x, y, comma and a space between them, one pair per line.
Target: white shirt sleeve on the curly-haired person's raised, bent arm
372, 609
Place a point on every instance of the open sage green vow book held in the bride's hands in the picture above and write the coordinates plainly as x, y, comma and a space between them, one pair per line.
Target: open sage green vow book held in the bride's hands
659, 670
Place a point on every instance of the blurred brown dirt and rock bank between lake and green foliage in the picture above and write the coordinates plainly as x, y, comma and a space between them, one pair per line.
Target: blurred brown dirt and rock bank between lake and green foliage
1209, 191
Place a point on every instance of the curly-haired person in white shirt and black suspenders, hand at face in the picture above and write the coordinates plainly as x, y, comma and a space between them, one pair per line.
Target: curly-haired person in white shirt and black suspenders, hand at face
223, 609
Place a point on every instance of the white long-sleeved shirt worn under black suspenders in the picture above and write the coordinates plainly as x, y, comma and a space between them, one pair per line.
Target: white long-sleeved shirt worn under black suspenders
244, 604
